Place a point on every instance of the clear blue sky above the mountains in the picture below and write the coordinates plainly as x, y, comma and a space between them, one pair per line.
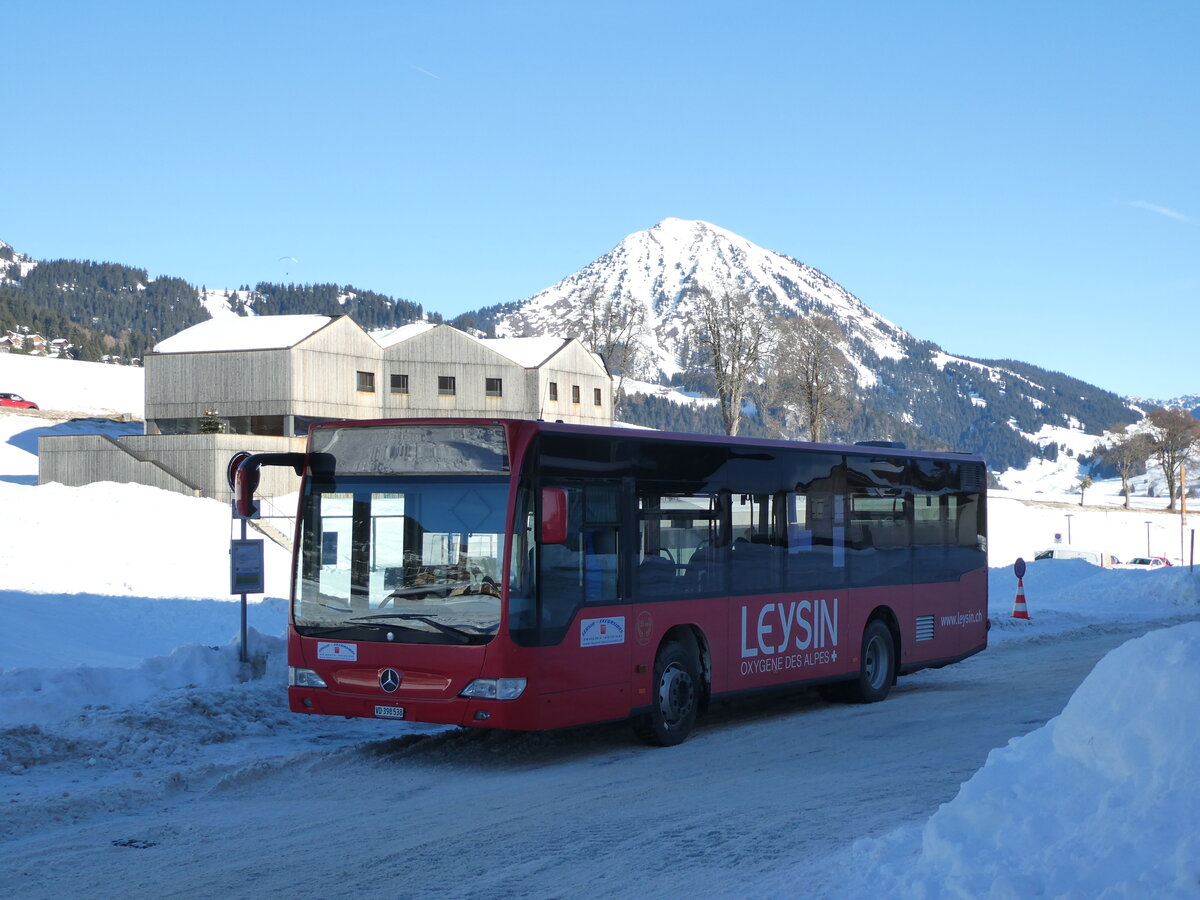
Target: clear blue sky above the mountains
1007, 181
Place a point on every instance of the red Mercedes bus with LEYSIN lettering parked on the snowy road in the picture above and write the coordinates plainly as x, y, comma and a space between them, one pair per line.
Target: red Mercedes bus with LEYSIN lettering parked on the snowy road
530, 575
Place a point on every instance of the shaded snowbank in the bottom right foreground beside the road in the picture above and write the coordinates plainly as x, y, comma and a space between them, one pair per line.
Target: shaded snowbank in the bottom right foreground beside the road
1105, 801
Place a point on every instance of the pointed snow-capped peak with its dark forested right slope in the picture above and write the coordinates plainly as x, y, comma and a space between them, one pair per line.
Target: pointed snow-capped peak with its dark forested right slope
908, 389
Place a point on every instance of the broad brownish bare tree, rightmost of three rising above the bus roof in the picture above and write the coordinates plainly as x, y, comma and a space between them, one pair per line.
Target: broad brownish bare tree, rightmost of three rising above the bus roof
808, 385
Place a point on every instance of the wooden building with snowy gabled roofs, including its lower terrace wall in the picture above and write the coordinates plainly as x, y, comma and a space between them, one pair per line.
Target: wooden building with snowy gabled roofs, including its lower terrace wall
257, 383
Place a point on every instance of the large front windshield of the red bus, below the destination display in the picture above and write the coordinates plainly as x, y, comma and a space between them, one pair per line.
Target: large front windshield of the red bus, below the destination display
407, 560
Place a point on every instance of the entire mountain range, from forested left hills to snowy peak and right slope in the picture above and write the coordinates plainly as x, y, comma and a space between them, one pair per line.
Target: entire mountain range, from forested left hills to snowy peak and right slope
908, 389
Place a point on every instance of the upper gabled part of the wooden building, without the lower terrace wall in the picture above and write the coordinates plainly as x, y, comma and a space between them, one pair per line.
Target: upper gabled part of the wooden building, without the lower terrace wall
279, 375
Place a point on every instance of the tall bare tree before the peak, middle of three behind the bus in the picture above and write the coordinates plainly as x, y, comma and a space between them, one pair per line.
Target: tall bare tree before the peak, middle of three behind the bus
734, 335
